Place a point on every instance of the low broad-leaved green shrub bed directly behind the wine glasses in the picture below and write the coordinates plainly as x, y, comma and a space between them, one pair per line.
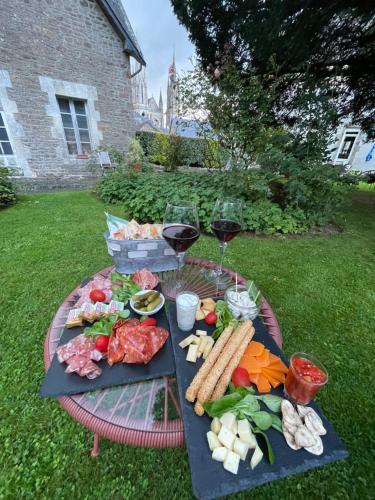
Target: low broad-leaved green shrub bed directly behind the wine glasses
145, 197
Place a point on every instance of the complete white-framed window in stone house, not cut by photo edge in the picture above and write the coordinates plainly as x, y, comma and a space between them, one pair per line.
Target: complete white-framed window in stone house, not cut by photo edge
74, 119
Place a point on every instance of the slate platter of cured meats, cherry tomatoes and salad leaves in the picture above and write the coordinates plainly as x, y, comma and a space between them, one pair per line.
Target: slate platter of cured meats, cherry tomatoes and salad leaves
90, 356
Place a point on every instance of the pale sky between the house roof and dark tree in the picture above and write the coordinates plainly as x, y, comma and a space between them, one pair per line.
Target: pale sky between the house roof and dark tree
158, 32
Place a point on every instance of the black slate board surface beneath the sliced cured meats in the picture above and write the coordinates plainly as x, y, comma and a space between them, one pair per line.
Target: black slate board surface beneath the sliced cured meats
58, 383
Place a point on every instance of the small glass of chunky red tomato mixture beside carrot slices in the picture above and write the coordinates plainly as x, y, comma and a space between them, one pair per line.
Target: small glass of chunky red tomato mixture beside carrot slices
306, 376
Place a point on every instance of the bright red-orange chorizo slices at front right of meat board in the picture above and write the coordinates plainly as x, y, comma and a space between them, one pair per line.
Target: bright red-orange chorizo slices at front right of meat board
131, 342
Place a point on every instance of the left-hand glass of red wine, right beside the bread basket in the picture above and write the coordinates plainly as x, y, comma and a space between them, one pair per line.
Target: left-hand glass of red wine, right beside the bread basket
180, 230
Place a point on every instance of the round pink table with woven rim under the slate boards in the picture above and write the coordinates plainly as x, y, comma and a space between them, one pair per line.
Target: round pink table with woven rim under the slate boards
141, 414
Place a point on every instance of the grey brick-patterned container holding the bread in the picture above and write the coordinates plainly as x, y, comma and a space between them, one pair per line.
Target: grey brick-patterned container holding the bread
131, 255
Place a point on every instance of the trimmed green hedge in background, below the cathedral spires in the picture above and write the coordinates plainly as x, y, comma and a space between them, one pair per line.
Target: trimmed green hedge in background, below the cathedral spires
173, 151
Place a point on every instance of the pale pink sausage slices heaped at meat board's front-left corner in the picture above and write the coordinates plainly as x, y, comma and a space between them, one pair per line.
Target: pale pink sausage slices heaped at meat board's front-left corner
79, 354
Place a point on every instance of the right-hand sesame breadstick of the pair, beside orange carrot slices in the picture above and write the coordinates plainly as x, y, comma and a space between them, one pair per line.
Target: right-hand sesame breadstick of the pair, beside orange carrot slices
231, 347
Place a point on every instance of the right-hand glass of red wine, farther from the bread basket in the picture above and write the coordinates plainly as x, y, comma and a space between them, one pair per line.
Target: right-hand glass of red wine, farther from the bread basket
225, 223
